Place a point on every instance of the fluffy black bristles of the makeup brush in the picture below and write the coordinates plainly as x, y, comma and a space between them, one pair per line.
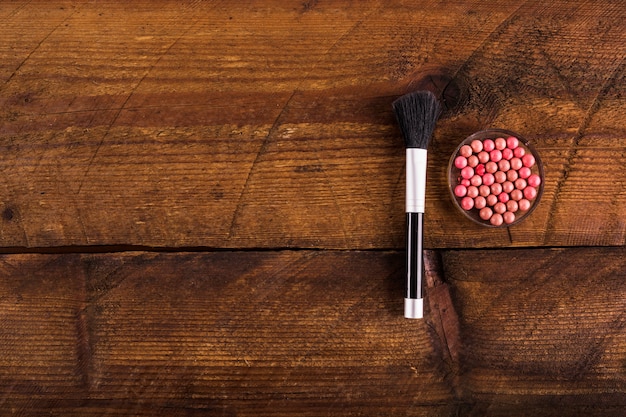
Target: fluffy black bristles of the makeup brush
417, 115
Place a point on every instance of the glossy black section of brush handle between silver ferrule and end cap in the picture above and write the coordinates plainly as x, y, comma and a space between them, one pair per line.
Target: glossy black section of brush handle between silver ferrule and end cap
414, 255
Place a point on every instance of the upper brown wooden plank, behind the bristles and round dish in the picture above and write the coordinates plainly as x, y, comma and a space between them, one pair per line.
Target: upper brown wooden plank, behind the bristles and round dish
268, 124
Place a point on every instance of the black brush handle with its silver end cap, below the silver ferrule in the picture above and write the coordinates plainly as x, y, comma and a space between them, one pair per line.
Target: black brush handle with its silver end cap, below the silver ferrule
413, 301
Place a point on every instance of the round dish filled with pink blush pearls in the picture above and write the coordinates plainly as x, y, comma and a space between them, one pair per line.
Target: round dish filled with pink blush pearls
495, 178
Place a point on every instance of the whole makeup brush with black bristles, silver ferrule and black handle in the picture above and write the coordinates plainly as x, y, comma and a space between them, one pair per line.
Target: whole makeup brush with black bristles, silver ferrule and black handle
417, 114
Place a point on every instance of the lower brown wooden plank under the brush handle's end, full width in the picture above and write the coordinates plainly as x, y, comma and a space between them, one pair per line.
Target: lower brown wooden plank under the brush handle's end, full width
511, 333
